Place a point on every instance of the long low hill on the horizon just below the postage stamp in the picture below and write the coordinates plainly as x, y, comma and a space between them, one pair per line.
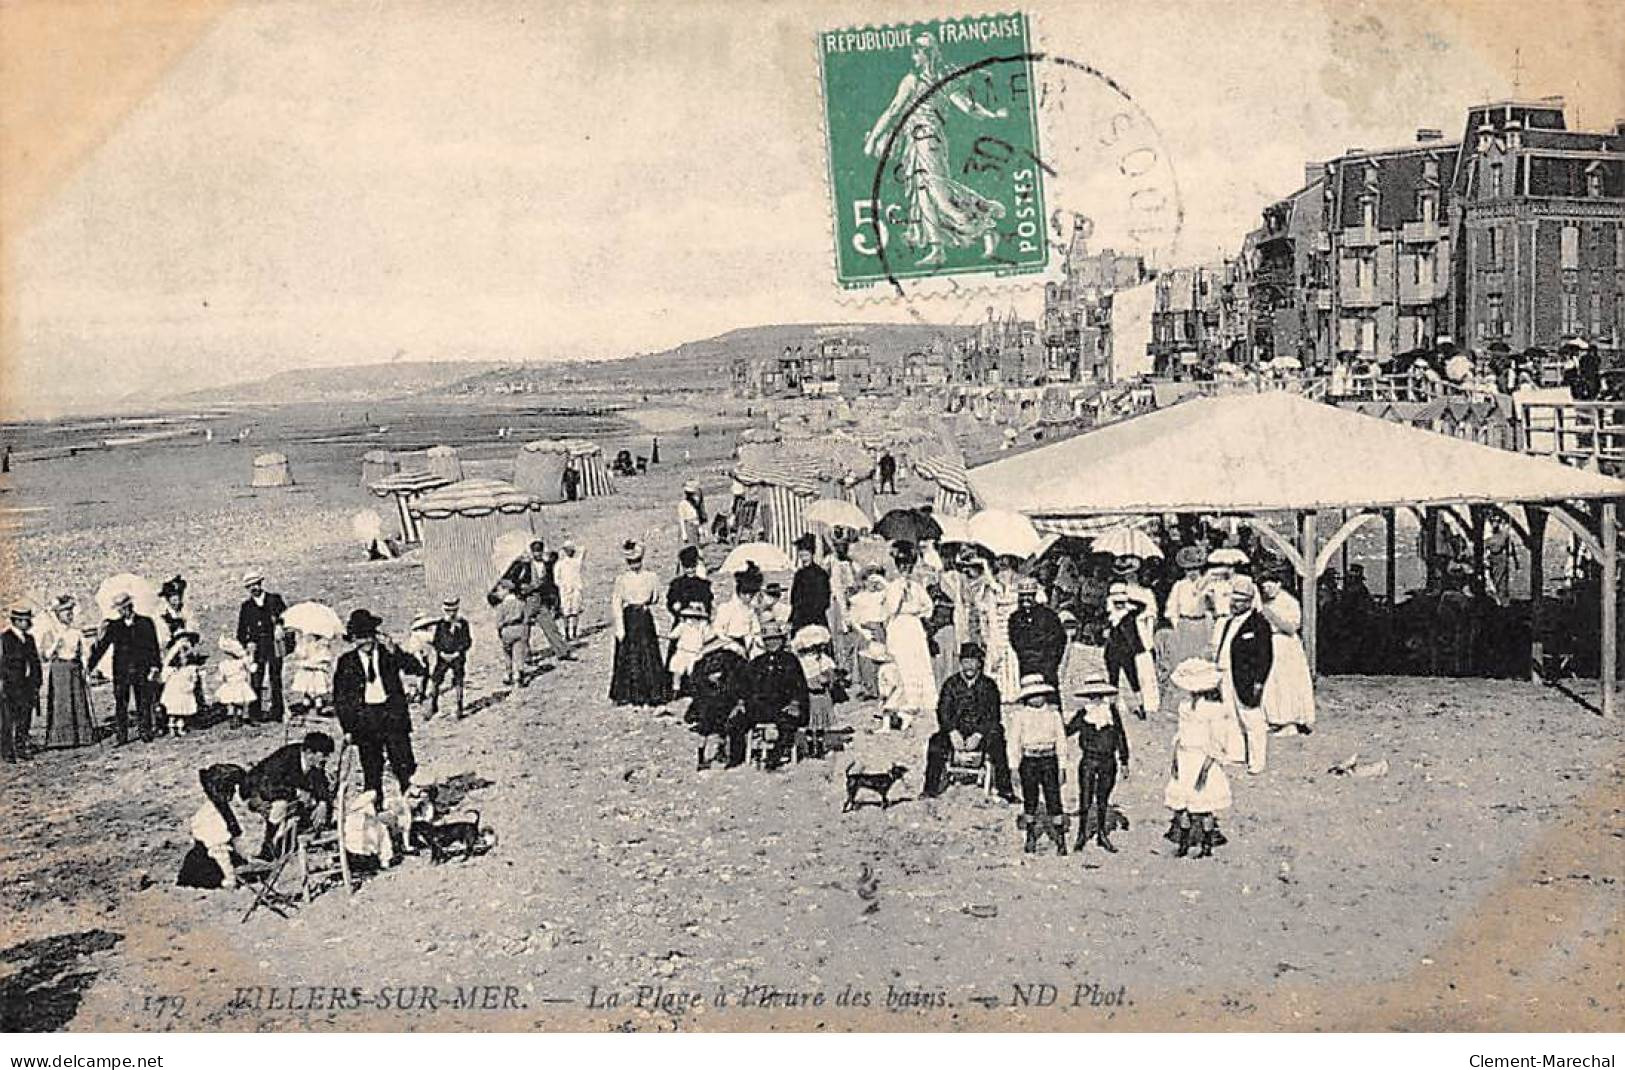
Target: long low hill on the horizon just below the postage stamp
703, 365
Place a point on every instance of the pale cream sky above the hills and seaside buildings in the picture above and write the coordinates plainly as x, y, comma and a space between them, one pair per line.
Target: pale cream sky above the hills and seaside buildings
357, 183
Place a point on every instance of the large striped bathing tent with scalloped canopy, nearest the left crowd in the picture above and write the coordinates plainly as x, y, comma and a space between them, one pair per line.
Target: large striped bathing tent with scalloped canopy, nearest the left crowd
461, 526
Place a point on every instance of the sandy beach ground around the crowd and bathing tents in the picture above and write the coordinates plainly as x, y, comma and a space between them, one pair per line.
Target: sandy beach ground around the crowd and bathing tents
1478, 885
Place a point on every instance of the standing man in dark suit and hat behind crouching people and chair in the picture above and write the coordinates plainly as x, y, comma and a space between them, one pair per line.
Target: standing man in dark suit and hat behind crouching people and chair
371, 705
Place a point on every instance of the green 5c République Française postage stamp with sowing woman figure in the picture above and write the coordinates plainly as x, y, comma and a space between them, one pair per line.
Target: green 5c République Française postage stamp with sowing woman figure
934, 150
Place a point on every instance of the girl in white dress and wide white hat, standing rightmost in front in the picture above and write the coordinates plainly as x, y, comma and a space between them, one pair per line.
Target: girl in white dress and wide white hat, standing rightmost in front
1198, 789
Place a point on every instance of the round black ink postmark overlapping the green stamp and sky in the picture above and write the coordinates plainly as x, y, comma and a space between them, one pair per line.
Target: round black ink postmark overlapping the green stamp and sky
1094, 176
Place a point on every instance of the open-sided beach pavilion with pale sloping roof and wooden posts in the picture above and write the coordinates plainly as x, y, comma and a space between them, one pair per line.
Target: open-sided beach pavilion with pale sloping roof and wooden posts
1259, 455
